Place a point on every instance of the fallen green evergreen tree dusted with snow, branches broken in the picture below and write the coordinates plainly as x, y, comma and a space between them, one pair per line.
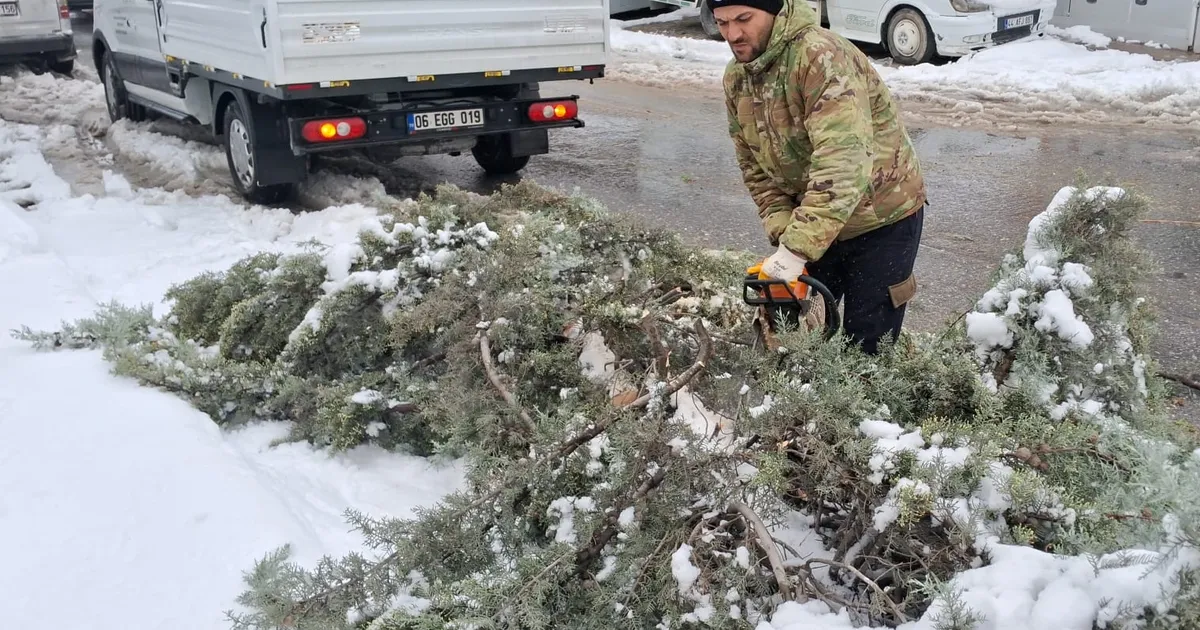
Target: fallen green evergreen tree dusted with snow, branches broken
638, 461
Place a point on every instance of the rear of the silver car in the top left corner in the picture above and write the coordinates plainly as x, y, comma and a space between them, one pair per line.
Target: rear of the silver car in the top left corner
38, 33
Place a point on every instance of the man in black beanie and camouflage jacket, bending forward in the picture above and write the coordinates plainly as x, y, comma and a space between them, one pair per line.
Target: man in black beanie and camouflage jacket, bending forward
826, 160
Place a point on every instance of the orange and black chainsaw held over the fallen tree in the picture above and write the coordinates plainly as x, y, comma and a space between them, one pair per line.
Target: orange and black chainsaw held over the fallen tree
782, 303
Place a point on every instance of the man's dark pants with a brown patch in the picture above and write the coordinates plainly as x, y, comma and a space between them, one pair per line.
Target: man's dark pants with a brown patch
873, 277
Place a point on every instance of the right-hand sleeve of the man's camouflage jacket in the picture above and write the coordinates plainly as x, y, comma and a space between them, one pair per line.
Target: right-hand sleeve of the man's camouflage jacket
835, 99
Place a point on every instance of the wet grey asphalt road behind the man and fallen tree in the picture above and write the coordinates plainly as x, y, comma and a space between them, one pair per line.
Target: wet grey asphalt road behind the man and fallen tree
665, 155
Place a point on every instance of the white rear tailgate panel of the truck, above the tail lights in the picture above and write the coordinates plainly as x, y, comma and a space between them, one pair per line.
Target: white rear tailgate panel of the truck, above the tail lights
358, 40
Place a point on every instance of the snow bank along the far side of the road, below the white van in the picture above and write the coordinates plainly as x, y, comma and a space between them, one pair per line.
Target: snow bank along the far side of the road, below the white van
1069, 76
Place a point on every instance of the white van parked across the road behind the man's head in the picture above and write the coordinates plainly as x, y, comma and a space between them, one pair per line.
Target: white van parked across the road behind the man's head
915, 31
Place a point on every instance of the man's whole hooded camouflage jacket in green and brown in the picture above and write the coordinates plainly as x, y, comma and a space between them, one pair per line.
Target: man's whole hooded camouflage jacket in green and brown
819, 139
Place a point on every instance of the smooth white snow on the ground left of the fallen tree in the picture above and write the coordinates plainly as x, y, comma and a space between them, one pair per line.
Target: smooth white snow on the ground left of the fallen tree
125, 497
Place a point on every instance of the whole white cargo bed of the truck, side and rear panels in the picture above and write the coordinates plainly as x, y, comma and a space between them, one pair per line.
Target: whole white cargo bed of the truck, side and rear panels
314, 41
